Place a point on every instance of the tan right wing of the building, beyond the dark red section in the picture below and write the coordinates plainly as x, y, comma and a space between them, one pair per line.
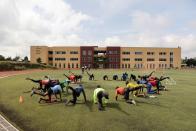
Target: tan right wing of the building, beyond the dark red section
150, 58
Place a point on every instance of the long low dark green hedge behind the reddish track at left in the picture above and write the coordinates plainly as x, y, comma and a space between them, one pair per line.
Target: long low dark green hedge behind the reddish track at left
10, 65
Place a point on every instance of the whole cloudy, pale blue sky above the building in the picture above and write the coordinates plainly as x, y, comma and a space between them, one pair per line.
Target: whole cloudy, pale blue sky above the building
133, 23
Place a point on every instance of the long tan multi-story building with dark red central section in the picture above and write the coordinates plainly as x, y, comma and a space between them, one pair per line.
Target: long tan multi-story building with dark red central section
108, 57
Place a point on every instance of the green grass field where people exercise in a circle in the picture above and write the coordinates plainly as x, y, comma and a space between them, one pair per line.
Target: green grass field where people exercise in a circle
172, 110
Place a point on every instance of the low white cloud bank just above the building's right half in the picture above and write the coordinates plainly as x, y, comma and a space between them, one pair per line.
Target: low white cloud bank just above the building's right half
186, 42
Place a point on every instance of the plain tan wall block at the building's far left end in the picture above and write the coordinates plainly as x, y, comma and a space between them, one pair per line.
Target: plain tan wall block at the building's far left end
39, 51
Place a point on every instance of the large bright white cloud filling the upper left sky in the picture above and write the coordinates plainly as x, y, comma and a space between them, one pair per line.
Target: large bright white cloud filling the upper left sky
24, 23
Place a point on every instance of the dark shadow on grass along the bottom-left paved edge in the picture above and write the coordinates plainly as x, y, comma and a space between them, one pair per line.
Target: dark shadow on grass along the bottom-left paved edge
18, 120
